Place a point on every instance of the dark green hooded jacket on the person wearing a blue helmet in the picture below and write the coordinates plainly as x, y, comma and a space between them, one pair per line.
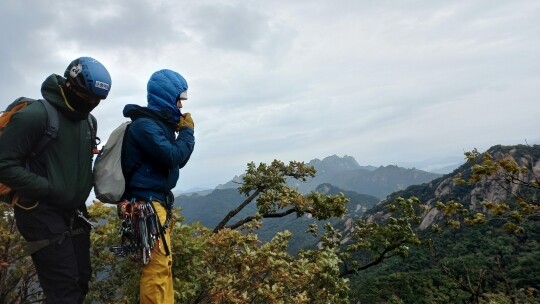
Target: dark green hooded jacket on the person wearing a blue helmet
62, 174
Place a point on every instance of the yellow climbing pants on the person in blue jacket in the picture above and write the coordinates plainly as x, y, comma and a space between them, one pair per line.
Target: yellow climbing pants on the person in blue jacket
156, 278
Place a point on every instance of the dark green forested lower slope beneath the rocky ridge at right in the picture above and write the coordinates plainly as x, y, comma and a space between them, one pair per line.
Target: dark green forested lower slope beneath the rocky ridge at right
465, 265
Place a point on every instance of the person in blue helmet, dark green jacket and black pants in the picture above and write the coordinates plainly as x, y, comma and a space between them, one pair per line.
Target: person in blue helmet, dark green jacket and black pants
51, 188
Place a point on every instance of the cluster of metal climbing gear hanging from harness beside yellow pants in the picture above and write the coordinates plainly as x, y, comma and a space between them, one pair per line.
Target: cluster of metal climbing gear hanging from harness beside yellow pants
139, 230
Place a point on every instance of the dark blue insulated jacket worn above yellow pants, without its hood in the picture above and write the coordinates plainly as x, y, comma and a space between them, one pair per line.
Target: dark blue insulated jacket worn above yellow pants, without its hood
153, 153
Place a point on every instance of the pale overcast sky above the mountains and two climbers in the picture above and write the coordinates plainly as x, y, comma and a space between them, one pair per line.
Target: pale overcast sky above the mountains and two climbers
387, 82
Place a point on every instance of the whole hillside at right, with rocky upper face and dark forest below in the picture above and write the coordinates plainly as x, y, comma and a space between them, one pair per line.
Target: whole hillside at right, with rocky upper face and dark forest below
496, 260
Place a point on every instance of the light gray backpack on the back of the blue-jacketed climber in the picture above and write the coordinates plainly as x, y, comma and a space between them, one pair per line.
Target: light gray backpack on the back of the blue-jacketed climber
109, 180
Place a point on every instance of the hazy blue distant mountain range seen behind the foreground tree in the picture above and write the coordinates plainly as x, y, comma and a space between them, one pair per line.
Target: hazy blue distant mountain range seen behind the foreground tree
210, 209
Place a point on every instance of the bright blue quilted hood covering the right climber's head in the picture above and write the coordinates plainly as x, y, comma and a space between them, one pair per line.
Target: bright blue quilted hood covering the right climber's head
163, 89
